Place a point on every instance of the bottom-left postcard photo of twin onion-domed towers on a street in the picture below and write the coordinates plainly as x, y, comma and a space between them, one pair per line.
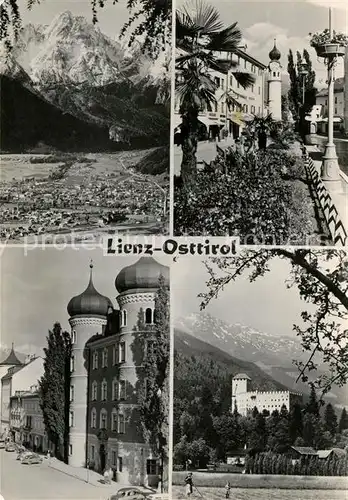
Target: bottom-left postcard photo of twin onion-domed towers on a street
84, 373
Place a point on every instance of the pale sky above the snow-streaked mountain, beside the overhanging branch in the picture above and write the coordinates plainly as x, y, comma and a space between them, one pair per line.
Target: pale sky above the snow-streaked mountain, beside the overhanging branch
266, 305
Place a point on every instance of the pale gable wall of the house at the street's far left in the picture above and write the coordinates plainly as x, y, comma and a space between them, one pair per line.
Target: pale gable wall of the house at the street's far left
18, 378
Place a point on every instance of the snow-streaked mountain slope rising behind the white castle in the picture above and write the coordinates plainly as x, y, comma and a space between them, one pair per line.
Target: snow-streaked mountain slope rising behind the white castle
235, 348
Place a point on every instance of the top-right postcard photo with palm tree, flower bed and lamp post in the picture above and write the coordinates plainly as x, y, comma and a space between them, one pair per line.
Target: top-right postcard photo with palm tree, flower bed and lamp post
261, 121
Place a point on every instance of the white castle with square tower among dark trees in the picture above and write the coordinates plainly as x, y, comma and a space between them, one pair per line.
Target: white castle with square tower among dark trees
246, 400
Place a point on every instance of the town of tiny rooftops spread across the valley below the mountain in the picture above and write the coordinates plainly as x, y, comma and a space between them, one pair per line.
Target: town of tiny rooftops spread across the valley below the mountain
37, 206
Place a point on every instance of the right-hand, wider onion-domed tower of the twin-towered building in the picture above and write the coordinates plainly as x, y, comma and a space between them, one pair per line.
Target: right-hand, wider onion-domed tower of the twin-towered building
137, 286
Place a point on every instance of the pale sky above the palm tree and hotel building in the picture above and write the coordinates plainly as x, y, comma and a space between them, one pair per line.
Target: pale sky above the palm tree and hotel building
289, 22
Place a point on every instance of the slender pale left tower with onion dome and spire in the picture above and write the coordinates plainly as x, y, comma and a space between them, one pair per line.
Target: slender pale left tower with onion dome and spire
88, 316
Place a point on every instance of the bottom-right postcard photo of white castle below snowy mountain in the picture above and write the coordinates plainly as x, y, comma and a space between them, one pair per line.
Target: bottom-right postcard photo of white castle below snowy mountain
260, 375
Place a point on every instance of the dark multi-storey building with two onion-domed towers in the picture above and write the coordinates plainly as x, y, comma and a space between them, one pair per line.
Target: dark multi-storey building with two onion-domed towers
106, 374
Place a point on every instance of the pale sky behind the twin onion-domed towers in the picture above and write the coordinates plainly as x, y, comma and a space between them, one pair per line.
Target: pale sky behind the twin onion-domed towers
35, 290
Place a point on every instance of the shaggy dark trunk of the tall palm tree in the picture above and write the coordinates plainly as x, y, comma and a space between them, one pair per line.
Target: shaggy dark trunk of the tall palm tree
189, 131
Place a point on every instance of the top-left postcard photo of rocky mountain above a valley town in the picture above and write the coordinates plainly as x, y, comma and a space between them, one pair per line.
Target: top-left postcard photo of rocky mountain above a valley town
85, 120
